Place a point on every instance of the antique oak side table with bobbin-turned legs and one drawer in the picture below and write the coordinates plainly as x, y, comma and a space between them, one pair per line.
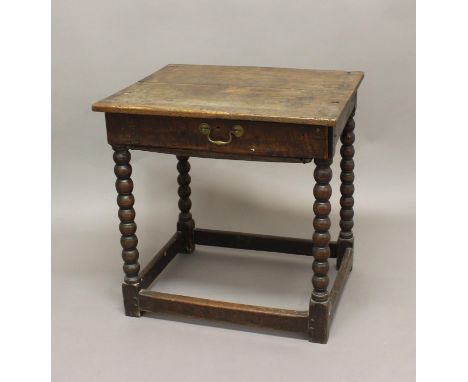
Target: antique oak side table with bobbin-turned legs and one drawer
244, 113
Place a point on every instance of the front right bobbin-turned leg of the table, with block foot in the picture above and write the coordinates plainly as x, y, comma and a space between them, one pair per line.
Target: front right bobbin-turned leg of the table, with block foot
319, 318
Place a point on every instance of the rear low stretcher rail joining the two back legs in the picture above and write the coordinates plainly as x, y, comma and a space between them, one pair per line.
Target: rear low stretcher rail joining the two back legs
257, 242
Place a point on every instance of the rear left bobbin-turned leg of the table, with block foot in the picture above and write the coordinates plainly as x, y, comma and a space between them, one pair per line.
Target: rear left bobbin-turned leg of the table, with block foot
185, 224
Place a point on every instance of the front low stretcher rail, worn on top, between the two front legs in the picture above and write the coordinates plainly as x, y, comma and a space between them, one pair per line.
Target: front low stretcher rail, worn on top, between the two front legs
281, 319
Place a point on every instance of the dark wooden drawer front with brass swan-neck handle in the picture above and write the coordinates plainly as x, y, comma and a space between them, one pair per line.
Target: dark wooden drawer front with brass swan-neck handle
249, 139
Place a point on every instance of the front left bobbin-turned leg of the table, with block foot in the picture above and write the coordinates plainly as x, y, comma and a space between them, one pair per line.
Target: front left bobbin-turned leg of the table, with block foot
129, 241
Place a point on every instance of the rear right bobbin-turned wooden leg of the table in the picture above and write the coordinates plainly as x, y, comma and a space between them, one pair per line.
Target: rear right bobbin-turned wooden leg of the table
346, 239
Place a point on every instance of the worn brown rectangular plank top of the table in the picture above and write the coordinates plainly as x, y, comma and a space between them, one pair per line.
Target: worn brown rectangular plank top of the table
303, 96
